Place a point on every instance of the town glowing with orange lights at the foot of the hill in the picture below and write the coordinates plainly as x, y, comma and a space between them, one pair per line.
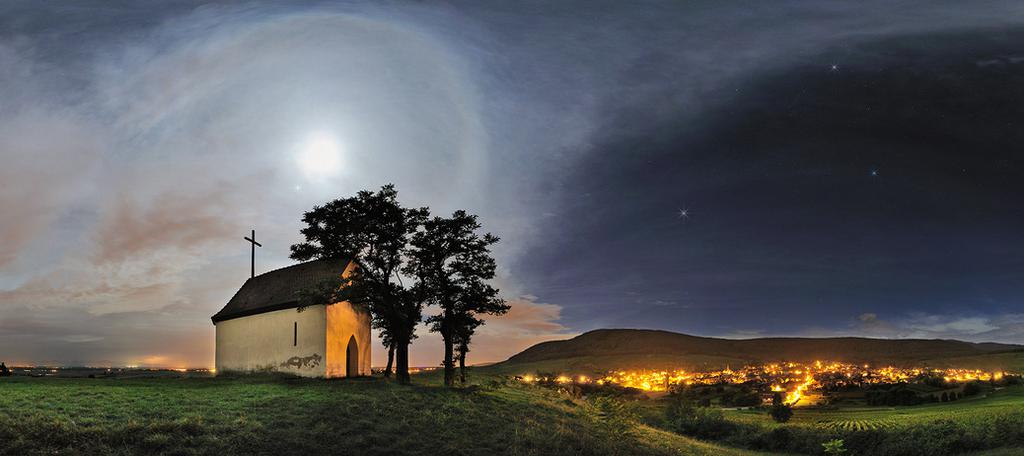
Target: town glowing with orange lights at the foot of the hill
795, 381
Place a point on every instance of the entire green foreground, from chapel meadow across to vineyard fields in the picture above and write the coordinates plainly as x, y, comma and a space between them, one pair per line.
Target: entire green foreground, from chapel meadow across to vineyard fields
494, 417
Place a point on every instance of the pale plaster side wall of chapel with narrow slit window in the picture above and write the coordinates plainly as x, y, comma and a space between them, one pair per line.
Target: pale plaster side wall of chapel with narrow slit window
265, 343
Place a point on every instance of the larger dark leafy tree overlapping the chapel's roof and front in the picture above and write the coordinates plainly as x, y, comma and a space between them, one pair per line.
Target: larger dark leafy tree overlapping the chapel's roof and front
373, 231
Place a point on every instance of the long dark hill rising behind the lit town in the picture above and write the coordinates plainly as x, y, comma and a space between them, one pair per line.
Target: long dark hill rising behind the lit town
630, 349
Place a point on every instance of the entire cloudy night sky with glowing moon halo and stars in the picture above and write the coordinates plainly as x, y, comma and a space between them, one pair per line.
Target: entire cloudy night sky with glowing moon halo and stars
743, 170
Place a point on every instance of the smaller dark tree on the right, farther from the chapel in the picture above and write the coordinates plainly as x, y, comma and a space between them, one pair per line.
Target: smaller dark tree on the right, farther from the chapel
452, 264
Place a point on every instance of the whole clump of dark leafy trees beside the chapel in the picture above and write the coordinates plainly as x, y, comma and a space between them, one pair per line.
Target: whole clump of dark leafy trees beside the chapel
406, 260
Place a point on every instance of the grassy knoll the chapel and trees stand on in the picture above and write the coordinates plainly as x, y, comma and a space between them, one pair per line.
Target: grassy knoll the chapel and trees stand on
269, 416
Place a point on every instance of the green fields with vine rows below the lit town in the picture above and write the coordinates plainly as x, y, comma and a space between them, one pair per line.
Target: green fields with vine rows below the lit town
988, 426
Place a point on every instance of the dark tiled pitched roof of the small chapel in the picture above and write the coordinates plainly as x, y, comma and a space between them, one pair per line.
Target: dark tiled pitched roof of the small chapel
279, 289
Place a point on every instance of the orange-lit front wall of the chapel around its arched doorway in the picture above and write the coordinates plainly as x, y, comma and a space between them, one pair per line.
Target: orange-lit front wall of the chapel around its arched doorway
344, 322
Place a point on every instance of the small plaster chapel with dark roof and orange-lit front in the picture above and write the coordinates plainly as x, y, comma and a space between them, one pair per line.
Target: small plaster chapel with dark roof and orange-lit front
265, 328
